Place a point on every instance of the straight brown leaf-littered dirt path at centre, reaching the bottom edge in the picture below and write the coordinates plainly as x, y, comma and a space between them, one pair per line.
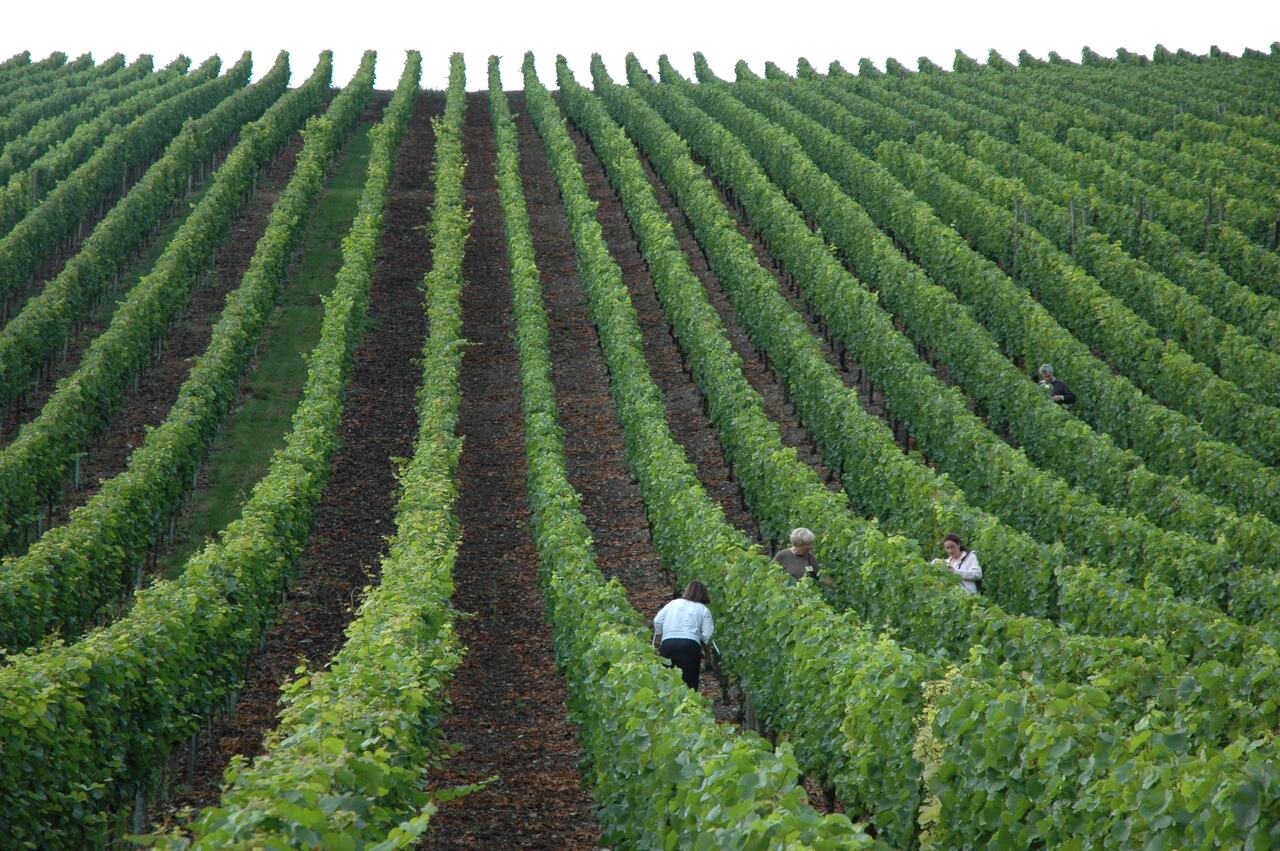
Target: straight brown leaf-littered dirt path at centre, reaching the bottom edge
509, 716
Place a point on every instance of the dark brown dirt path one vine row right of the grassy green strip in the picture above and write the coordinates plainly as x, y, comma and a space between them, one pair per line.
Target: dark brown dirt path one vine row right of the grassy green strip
356, 511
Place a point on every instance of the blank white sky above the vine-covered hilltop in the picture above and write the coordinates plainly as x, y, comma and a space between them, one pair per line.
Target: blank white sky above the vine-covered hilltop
779, 31
